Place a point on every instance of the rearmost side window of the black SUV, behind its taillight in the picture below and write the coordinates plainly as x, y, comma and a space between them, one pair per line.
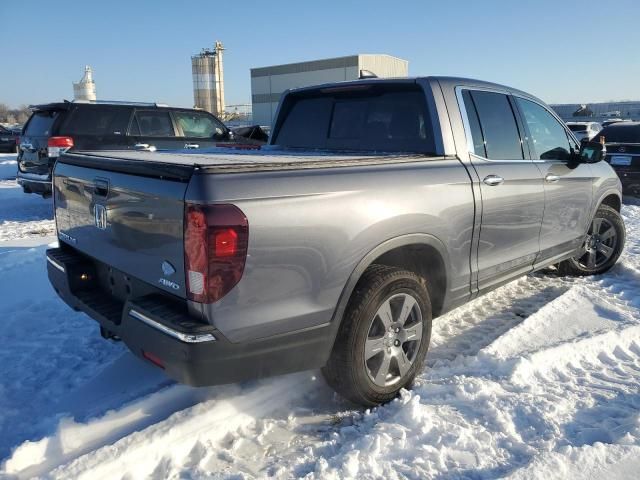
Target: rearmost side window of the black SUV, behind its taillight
97, 121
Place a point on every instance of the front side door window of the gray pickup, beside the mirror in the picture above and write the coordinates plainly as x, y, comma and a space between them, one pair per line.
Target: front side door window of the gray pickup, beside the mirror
550, 140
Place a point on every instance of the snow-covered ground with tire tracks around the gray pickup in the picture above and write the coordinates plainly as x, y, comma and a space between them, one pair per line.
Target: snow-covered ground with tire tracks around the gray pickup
539, 379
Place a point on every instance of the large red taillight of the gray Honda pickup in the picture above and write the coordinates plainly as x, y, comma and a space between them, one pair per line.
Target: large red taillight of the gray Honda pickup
215, 250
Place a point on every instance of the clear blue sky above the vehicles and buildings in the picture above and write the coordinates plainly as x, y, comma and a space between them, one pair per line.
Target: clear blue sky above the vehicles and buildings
560, 50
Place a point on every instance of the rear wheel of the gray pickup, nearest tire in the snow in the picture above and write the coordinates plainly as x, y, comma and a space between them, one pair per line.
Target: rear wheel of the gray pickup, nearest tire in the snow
383, 338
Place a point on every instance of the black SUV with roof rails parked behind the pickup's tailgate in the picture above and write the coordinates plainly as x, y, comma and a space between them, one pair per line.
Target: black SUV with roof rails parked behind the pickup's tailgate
55, 128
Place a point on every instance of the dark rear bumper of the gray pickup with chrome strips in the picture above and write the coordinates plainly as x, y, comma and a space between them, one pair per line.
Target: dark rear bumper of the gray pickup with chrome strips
189, 351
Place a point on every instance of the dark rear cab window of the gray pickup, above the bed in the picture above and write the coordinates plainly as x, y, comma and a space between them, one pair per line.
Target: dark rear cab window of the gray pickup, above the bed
372, 118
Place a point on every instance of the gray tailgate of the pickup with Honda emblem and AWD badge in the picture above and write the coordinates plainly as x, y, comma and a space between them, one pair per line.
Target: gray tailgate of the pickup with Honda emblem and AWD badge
129, 220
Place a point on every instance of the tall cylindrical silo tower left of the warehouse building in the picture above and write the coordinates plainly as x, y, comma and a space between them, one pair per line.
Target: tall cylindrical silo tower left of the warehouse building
208, 80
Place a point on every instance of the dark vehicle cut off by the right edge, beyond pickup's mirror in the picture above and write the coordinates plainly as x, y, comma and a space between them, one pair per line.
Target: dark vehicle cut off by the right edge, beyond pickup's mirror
623, 153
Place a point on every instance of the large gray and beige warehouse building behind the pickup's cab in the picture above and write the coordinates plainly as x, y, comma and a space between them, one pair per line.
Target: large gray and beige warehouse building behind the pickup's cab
268, 83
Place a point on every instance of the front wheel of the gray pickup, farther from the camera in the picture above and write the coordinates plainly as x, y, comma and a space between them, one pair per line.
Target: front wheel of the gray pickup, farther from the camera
602, 246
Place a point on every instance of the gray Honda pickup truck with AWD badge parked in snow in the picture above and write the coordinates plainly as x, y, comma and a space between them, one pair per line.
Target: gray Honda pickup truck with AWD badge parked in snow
378, 206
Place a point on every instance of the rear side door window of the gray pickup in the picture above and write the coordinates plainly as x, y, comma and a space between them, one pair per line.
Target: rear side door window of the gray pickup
498, 126
